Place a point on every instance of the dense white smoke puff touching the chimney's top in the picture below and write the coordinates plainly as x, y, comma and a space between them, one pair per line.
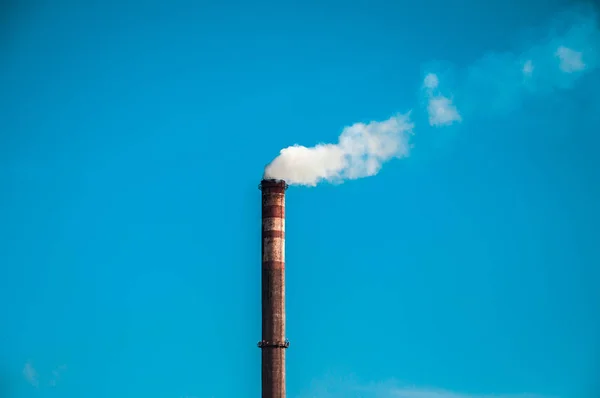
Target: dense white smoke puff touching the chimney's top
360, 152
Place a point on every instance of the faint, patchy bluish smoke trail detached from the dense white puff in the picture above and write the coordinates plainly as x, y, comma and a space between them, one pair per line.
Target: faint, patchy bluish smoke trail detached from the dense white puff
499, 82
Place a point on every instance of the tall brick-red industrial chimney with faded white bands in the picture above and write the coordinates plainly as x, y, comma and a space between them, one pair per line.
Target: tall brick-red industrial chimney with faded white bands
273, 343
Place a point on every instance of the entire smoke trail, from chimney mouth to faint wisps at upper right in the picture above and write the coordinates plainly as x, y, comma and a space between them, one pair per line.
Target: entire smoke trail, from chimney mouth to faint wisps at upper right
496, 83
